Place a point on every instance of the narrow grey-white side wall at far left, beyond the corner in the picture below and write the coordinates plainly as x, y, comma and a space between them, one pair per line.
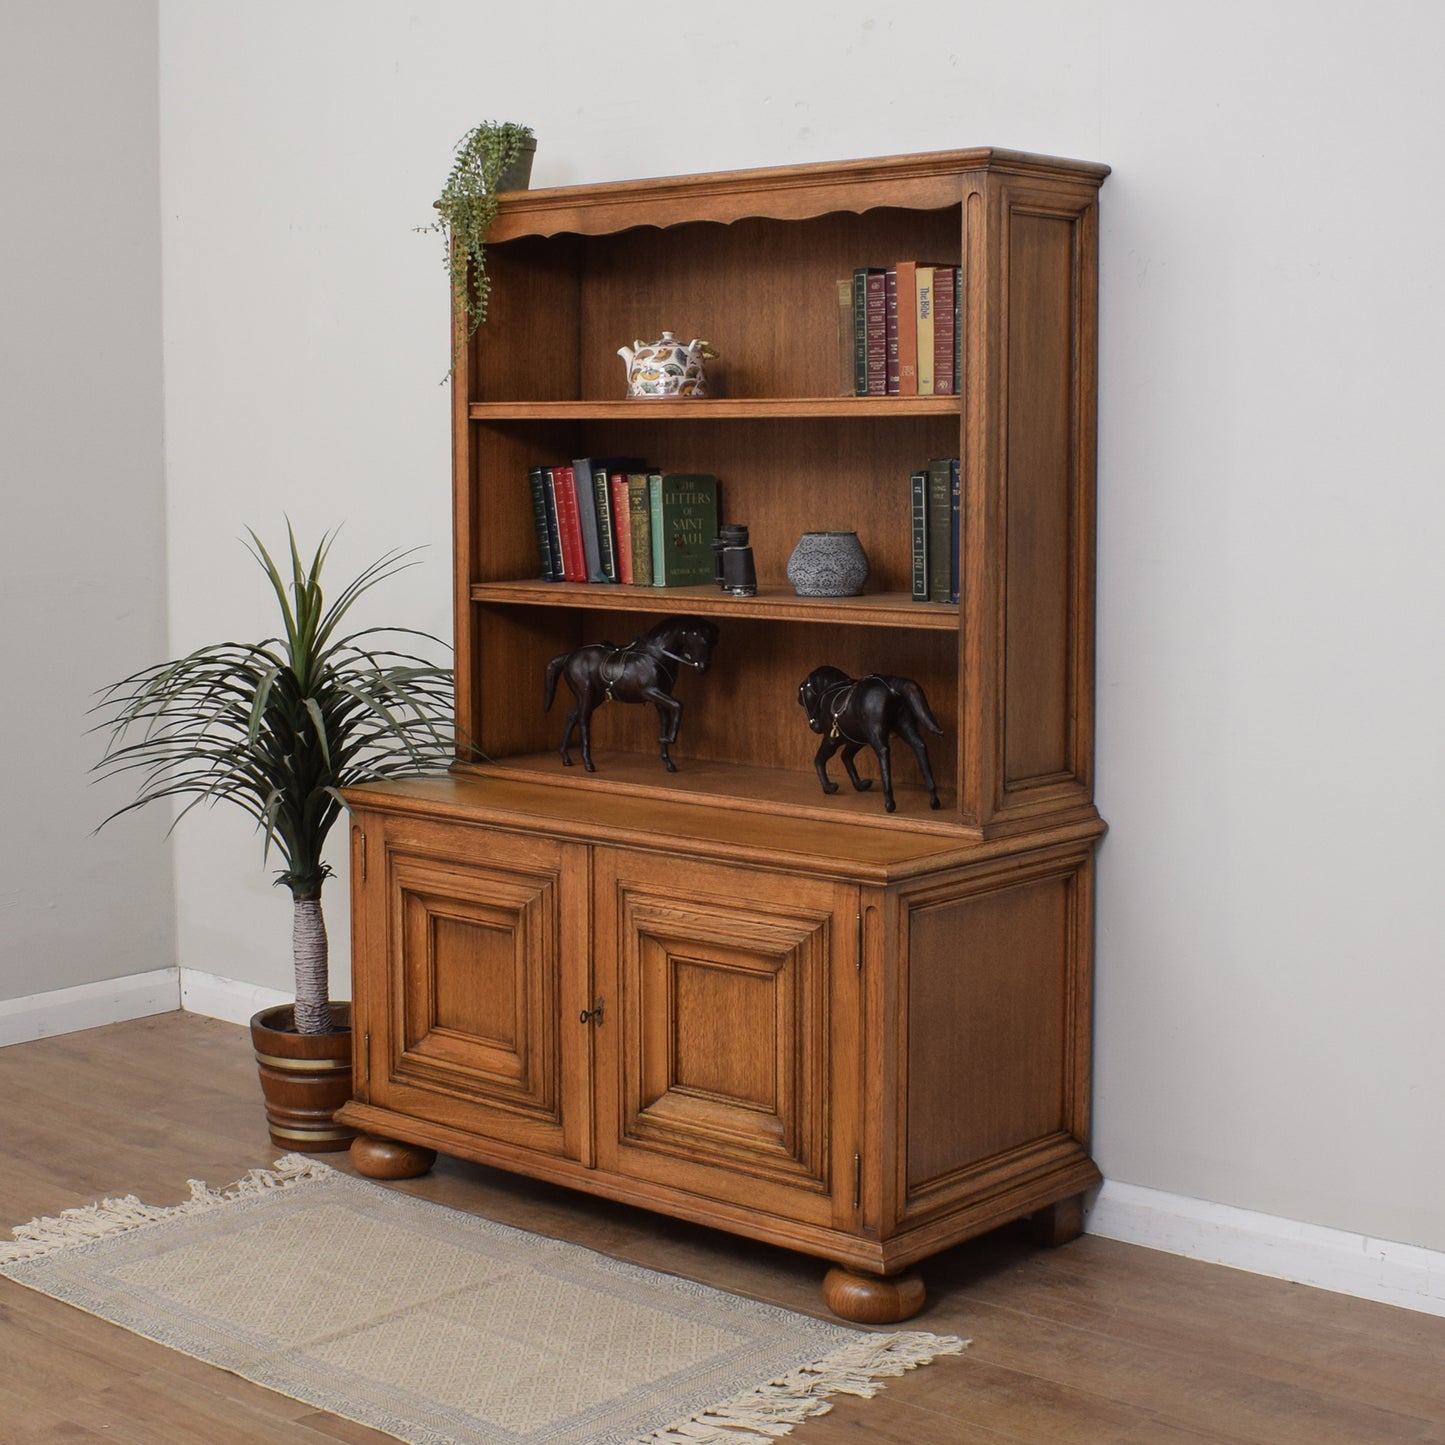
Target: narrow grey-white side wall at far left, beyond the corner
83, 527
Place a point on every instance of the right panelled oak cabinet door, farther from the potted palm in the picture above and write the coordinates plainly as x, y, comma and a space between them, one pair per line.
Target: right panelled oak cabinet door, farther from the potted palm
728, 1051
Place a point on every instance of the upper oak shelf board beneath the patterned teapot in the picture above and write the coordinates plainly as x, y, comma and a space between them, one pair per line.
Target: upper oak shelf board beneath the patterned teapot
696, 410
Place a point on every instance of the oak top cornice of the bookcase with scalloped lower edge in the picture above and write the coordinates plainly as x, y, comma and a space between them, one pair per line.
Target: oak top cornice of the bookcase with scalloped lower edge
928, 181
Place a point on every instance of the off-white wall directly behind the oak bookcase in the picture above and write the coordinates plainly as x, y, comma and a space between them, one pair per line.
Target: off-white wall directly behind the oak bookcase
1271, 605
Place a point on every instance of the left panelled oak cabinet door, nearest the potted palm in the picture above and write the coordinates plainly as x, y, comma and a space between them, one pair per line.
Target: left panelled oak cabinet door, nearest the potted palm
470, 956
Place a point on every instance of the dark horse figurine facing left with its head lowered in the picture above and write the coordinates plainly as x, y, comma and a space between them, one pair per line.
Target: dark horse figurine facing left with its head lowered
862, 713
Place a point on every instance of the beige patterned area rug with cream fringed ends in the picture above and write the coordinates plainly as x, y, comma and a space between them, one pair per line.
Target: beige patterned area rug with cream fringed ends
443, 1329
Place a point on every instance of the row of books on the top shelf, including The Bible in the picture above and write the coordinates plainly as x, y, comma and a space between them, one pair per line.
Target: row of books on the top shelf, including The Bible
907, 330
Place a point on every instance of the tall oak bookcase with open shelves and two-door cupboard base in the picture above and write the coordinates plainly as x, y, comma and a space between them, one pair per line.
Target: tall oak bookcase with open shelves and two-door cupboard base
719, 993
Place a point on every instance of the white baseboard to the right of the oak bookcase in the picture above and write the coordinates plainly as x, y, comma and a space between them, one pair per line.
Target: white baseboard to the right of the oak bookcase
1347, 1264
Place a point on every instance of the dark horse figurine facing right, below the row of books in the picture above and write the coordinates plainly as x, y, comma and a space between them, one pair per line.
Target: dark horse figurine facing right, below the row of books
645, 671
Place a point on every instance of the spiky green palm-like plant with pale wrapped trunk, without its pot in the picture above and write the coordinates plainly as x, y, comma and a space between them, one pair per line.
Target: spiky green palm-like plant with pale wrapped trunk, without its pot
280, 728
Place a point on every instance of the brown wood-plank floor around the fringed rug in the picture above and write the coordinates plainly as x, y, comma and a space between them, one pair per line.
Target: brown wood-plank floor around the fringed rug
1093, 1343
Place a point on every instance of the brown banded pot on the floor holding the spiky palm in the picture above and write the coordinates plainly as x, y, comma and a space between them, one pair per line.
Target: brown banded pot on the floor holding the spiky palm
306, 1079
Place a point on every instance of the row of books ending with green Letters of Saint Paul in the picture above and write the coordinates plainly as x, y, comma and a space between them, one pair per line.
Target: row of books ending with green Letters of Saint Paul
613, 519
